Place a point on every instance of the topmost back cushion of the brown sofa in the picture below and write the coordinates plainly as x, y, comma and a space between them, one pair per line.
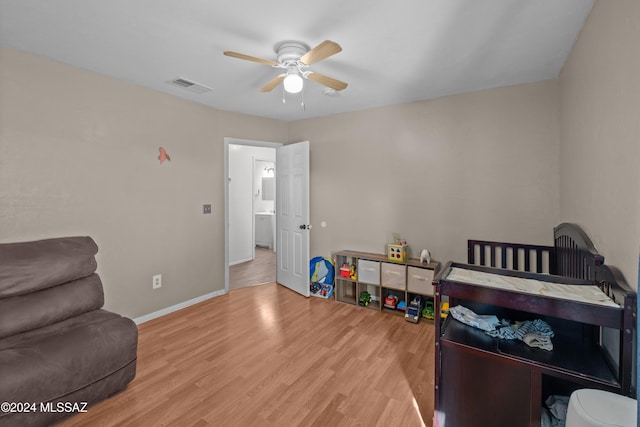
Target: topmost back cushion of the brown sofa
31, 266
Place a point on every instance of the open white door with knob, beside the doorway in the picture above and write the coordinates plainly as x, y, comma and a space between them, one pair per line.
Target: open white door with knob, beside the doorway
292, 216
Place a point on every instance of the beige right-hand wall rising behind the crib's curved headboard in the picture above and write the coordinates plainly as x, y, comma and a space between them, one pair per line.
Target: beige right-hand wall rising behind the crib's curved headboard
600, 133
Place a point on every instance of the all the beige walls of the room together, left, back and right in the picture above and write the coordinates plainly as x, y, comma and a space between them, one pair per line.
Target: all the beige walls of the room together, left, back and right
78, 156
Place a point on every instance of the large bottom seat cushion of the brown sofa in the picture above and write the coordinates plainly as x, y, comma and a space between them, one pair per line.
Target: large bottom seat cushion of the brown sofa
50, 362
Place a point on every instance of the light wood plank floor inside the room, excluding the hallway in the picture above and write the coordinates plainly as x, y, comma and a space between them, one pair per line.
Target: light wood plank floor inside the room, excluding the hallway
266, 356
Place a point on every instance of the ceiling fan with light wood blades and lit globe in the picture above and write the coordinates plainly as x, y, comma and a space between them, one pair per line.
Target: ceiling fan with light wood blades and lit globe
295, 57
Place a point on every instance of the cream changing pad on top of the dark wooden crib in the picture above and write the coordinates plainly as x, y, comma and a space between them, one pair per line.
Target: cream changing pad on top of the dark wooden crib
590, 294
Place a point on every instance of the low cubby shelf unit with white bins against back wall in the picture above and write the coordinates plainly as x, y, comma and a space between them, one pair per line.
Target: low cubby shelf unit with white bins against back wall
380, 277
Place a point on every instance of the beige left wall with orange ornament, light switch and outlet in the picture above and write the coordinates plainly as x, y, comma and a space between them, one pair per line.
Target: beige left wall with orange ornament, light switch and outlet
78, 156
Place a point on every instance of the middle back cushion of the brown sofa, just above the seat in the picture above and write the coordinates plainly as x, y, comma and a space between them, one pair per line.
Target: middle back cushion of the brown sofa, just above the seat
48, 306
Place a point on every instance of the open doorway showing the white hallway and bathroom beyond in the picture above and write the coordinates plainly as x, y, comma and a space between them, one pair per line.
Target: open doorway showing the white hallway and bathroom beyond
250, 250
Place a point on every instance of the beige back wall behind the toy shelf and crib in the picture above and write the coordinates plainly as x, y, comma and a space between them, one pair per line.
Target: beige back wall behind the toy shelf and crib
481, 165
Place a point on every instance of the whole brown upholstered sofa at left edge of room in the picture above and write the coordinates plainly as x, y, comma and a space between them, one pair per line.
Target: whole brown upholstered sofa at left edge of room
57, 346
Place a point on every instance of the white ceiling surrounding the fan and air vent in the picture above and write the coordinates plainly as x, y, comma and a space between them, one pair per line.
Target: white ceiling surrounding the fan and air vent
393, 51
